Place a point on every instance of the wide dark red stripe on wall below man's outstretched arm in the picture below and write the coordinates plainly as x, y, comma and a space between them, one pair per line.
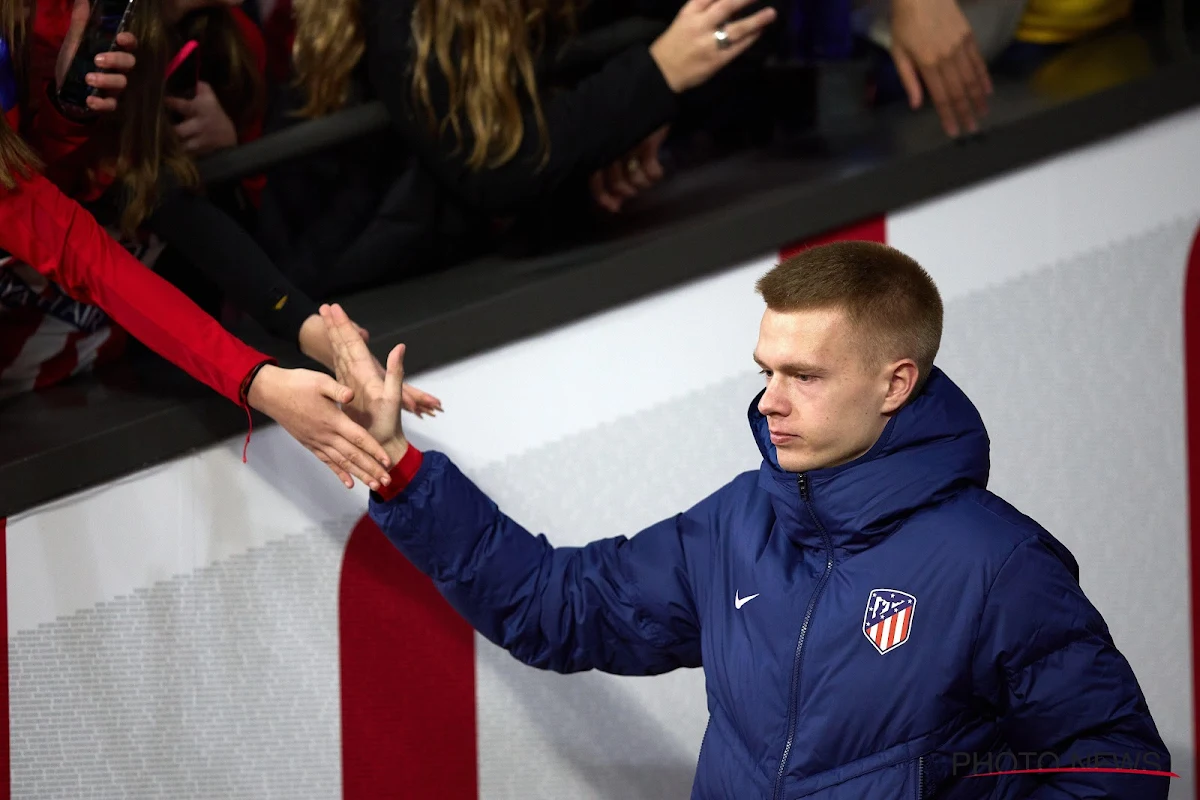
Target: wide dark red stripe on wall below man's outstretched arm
409, 679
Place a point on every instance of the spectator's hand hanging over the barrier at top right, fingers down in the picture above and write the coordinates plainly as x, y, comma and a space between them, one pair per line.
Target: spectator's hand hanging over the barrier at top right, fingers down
934, 39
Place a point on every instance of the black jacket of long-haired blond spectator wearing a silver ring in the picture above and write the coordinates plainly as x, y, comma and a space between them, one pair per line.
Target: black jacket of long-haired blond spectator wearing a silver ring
405, 202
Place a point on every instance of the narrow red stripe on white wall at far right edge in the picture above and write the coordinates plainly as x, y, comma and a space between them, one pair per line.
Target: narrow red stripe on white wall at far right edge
1192, 388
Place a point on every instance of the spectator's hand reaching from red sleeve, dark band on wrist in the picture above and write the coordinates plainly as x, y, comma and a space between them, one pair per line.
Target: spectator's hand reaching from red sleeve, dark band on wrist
305, 405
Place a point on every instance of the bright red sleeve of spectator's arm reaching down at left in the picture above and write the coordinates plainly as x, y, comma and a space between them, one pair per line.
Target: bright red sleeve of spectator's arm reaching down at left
59, 239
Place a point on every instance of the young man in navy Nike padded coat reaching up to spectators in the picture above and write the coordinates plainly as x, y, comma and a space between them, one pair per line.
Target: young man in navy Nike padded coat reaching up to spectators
873, 623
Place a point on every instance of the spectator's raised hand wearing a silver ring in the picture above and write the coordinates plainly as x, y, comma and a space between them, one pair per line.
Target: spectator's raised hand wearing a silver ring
705, 38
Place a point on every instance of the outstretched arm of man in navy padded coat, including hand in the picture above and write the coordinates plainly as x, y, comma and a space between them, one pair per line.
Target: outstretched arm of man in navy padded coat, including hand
621, 605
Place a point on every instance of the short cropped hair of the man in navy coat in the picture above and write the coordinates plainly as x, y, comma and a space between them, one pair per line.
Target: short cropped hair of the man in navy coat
886, 296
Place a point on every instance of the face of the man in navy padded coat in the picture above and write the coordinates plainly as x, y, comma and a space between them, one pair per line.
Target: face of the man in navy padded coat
825, 401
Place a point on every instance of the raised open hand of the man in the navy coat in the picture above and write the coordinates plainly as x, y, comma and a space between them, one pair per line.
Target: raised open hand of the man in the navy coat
377, 393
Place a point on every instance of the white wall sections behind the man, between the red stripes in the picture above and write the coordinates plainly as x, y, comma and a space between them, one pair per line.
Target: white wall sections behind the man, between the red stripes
1064, 290
